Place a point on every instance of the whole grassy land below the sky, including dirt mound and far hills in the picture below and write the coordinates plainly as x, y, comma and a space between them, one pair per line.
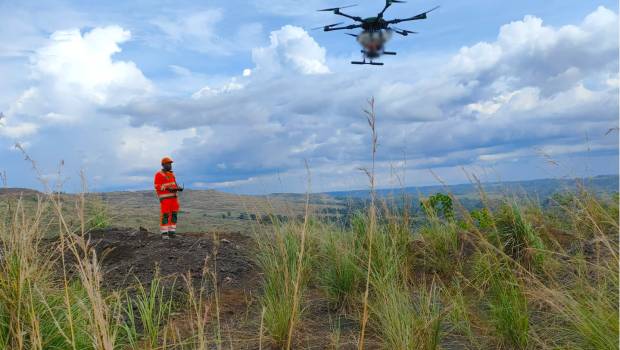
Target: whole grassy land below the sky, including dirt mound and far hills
86, 272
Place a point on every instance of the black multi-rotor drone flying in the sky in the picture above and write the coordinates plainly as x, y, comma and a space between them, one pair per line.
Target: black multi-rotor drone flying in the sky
376, 31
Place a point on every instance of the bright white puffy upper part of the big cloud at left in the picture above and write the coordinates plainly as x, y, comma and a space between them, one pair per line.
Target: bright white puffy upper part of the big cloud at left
72, 74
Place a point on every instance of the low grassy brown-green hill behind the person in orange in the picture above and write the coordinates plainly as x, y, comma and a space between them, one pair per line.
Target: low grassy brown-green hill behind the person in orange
201, 210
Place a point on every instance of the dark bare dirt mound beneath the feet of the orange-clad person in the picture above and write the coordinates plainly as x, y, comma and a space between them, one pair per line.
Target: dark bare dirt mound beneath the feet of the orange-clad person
127, 254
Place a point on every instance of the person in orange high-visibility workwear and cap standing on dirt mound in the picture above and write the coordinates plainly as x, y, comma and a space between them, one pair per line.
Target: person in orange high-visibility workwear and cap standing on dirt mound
166, 188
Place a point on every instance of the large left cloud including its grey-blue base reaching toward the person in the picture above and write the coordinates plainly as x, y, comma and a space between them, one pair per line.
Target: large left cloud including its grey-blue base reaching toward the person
74, 79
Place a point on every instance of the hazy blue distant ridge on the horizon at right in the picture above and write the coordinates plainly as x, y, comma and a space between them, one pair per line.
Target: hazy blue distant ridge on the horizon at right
542, 188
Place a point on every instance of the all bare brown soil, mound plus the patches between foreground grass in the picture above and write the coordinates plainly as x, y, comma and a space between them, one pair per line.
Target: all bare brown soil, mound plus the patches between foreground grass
129, 255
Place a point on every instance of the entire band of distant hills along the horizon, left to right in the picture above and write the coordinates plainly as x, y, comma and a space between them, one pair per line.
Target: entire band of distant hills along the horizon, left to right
209, 210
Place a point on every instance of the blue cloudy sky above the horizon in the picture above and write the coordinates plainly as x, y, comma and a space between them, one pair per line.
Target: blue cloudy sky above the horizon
244, 94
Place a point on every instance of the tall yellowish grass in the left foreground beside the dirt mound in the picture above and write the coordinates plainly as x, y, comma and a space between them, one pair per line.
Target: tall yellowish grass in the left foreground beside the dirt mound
50, 291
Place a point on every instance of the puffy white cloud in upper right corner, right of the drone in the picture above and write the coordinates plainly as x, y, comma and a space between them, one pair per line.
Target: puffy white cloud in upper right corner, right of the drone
531, 52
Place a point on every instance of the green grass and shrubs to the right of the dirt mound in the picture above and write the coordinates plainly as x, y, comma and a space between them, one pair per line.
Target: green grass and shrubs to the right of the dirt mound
513, 276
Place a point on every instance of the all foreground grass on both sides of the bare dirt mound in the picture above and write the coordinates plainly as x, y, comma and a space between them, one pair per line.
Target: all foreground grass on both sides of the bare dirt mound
511, 275
